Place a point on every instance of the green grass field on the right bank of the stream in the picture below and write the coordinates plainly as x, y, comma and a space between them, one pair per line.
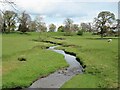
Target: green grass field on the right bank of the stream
99, 56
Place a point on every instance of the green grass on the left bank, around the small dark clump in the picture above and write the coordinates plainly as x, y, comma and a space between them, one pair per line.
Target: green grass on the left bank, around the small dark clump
39, 62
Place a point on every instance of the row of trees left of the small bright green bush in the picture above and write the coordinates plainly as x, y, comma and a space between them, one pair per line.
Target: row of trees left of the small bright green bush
11, 21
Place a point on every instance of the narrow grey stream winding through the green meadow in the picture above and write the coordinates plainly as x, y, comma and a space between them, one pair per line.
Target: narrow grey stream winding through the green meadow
58, 78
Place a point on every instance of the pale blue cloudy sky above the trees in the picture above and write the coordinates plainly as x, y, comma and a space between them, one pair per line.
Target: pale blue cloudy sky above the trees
56, 11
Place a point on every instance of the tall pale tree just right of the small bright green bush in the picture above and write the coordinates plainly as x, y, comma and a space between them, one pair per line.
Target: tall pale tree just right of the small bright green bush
68, 26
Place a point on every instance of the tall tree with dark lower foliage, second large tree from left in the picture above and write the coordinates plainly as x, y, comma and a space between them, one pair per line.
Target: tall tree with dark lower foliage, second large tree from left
24, 22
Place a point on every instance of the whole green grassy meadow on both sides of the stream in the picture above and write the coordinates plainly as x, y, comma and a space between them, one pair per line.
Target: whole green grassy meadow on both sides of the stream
99, 58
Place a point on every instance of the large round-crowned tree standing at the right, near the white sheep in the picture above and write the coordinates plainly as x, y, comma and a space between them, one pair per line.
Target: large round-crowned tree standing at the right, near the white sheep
103, 21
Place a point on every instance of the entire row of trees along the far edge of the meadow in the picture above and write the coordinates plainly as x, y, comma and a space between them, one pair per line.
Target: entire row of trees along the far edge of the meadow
103, 24
